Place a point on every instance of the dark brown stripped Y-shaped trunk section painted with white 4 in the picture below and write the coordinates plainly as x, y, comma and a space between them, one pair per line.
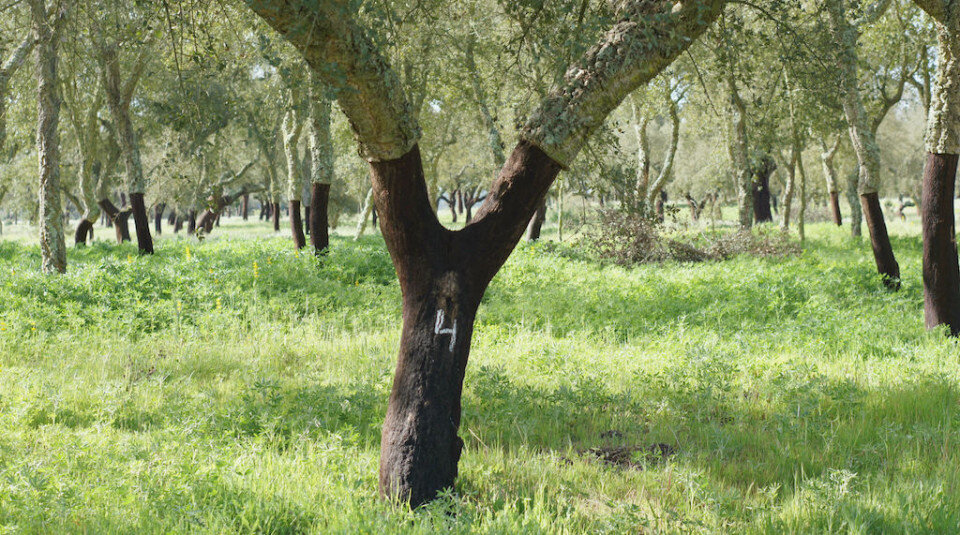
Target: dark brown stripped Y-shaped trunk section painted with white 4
443, 275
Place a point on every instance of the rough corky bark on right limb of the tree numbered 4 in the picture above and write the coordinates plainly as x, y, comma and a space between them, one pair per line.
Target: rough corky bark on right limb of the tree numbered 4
650, 35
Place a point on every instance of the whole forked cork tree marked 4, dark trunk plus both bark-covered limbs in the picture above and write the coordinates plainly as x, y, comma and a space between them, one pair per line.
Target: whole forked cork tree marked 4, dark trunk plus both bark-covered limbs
443, 274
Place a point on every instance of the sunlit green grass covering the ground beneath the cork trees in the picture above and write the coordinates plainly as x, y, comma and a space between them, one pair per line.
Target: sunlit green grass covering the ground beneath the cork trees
236, 386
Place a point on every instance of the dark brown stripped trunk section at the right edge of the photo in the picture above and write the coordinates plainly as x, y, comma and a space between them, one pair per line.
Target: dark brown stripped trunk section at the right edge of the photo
941, 273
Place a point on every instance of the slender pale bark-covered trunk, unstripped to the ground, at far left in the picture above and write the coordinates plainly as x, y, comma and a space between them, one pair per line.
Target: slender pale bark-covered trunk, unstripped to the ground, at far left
53, 249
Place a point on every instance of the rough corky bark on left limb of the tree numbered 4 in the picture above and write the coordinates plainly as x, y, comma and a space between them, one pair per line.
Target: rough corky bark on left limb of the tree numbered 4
349, 62
